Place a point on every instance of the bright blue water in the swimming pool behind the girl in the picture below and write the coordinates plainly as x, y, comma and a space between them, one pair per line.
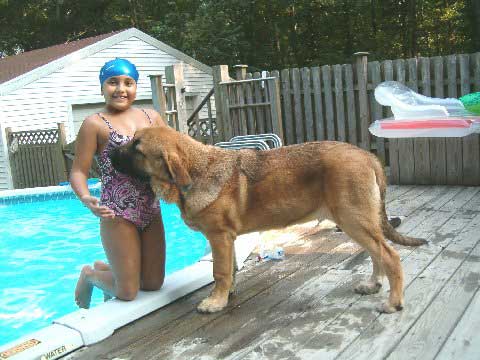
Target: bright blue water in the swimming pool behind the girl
43, 246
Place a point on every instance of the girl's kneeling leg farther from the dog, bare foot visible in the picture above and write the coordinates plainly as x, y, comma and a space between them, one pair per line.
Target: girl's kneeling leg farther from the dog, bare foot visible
122, 245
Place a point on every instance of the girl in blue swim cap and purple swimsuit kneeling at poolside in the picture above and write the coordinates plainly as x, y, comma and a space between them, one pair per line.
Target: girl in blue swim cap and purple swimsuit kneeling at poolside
131, 225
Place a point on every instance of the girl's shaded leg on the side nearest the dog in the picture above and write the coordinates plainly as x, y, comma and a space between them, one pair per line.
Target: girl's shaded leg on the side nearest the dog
153, 255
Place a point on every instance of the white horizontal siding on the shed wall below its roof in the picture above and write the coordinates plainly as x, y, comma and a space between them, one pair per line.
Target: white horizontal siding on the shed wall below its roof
47, 101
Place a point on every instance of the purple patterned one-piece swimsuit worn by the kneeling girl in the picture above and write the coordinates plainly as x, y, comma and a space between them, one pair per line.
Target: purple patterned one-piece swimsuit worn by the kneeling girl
129, 198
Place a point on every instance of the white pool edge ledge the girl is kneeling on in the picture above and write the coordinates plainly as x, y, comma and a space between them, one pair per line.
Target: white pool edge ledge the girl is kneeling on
86, 327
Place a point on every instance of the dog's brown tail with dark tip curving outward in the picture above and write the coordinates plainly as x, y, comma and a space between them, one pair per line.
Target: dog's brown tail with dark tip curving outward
387, 228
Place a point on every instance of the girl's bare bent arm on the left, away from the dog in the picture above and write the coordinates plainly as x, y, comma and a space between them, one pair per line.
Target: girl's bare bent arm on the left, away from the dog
85, 149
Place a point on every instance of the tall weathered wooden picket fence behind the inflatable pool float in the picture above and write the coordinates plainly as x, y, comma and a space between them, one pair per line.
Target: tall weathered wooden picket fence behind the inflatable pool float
336, 102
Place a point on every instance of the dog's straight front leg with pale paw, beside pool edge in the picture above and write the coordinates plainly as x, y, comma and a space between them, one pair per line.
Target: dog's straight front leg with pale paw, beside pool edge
223, 263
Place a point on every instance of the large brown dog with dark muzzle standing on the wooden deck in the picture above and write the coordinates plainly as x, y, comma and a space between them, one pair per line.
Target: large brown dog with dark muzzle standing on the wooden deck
225, 193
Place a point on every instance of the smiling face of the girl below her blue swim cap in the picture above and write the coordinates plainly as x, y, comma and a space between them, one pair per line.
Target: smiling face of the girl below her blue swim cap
119, 92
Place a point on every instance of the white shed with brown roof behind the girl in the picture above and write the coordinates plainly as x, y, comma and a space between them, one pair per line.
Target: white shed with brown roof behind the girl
59, 84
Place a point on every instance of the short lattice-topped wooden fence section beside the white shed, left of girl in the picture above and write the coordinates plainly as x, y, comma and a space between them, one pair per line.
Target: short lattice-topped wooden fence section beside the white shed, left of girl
36, 157
